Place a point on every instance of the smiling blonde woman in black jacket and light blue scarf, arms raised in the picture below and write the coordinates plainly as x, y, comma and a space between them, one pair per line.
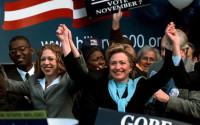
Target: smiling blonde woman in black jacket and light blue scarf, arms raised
121, 91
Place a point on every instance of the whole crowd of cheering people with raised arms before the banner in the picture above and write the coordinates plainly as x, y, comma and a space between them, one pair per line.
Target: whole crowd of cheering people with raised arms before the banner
71, 83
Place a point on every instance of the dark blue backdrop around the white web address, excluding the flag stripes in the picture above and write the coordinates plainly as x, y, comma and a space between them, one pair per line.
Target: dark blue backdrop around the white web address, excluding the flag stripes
145, 25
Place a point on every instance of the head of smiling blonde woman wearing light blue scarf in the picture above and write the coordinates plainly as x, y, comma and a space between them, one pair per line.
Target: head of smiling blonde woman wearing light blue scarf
121, 61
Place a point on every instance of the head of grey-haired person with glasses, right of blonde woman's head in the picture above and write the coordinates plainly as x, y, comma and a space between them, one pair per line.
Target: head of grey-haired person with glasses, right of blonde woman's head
146, 56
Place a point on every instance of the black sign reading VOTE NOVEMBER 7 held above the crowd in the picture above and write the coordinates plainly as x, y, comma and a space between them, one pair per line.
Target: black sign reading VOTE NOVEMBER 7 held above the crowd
96, 8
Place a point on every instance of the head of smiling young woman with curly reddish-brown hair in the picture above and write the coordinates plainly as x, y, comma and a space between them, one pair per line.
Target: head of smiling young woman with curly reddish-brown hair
49, 61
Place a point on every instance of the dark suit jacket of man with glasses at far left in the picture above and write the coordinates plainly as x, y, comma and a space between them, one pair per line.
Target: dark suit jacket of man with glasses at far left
12, 102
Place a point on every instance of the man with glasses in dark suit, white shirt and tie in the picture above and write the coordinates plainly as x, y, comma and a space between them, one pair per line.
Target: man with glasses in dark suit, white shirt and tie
20, 52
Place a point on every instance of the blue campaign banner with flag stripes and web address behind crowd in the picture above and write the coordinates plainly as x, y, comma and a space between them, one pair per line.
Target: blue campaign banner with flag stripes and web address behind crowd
38, 20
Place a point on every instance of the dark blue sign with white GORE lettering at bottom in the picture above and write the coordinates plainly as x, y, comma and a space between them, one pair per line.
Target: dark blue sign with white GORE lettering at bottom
111, 117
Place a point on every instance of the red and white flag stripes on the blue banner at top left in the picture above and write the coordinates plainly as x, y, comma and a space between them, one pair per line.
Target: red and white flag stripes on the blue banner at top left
25, 13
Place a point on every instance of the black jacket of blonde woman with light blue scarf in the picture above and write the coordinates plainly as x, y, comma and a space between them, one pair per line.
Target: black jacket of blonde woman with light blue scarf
96, 94
